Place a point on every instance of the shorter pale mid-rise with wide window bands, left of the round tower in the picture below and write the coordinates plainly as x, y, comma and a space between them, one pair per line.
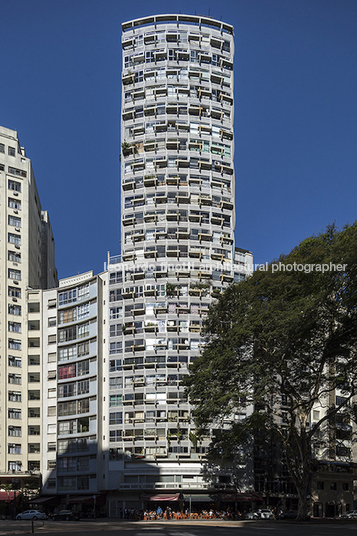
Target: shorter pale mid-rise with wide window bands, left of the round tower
73, 362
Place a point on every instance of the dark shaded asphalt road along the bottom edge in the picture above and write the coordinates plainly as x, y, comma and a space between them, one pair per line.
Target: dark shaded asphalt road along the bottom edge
182, 528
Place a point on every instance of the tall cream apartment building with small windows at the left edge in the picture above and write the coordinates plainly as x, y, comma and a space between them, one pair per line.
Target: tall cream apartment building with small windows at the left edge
27, 265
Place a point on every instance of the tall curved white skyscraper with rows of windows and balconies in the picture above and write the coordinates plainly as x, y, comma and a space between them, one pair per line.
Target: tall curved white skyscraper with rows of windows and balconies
178, 251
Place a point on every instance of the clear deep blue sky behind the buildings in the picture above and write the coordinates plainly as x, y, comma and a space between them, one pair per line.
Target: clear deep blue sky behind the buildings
295, 115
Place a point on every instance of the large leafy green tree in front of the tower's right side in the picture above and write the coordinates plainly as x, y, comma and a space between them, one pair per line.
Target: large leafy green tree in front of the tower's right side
283, 342
